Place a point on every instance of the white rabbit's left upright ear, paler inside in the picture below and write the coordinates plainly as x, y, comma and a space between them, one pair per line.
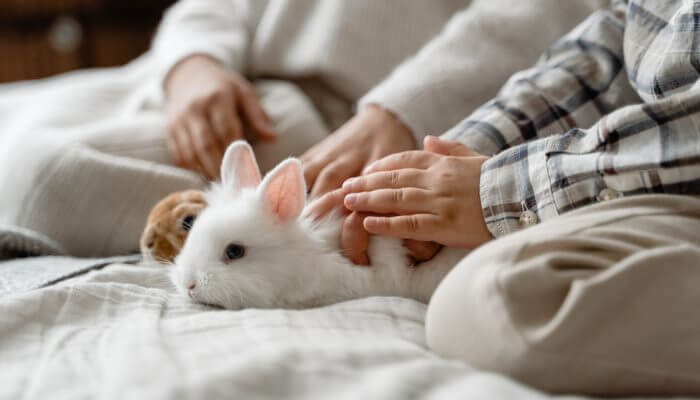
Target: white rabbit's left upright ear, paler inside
239, 169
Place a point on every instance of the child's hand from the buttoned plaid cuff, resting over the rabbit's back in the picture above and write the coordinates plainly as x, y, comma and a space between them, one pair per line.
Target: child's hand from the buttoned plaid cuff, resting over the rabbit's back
428, 196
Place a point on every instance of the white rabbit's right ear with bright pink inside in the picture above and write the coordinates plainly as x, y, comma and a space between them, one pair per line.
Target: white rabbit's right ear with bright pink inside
283, 191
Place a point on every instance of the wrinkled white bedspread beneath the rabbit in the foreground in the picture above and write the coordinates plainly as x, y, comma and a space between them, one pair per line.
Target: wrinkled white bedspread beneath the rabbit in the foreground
121, 333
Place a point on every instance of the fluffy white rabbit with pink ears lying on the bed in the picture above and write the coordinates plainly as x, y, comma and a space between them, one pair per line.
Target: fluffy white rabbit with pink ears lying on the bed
251, 247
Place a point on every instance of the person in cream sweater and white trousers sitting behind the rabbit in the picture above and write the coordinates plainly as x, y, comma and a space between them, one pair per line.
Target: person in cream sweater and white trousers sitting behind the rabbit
85, 156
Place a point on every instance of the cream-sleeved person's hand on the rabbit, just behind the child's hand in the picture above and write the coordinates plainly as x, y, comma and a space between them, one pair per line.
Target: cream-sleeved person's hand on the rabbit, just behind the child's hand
370, 135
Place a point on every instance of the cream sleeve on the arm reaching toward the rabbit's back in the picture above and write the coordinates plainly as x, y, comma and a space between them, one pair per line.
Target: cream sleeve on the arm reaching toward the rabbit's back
466, 64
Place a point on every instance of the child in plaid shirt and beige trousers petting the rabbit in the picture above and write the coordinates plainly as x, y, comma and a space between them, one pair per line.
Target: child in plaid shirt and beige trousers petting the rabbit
579, 187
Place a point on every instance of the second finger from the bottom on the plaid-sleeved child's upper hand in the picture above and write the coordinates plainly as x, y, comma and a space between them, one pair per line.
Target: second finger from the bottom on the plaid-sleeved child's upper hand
391, 201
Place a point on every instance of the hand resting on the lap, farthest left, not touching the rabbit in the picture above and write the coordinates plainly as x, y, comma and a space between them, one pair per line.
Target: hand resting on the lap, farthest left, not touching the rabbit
208, 106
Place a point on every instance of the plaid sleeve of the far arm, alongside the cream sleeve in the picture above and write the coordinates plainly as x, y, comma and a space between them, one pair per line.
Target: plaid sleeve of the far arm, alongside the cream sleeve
580, 79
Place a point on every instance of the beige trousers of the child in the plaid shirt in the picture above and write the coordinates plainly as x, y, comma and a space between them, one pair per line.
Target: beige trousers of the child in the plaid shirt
604, 300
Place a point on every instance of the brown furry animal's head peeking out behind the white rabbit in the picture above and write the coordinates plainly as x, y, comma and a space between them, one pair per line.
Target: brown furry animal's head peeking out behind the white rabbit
168, 225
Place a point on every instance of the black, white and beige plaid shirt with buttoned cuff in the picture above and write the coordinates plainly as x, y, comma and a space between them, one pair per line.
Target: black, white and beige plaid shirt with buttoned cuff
612, 109
